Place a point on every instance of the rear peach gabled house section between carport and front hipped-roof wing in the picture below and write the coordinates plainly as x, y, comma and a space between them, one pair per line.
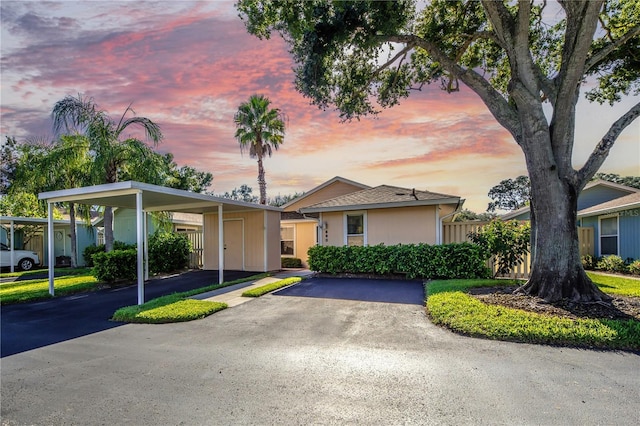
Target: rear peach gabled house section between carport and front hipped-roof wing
299, 231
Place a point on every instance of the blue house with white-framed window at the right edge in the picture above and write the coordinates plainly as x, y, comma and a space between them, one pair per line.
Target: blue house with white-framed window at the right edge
616, 225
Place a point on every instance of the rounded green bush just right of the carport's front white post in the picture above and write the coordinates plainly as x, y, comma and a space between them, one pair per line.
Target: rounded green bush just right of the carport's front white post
168, 251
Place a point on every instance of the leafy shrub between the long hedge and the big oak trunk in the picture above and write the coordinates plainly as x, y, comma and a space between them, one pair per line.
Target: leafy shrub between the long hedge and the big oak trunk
507, 241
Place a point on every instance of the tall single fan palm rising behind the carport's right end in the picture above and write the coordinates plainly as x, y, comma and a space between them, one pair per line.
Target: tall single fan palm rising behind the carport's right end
260, 130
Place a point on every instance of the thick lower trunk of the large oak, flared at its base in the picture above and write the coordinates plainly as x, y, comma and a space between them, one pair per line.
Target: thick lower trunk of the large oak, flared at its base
557, 271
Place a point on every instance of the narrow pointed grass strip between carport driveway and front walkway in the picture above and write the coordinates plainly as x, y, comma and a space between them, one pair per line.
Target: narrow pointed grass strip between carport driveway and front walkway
177, 307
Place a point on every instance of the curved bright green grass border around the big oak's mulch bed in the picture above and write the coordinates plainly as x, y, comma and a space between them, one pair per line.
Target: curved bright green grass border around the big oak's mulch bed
449, 305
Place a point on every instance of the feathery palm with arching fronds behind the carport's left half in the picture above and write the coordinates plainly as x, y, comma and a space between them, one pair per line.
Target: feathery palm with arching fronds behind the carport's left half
111, 156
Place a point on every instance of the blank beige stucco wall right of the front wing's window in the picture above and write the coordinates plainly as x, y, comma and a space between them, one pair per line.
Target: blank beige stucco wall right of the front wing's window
409, 225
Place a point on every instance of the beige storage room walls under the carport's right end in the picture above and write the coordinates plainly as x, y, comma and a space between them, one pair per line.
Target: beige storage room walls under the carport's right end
254, 223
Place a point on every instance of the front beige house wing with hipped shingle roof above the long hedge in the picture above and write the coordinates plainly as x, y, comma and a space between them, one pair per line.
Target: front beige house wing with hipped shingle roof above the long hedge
383, 215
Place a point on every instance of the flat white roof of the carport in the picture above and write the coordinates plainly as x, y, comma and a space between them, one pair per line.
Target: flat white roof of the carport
154, 198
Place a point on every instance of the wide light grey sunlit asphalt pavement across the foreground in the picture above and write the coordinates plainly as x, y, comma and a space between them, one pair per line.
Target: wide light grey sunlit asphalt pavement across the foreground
310, 360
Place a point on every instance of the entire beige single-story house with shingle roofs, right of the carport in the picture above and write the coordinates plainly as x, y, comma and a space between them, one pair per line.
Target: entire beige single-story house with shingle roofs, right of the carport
368, 216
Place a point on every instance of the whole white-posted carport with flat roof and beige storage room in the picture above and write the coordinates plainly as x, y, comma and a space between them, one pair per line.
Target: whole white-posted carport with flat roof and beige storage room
259, 244
